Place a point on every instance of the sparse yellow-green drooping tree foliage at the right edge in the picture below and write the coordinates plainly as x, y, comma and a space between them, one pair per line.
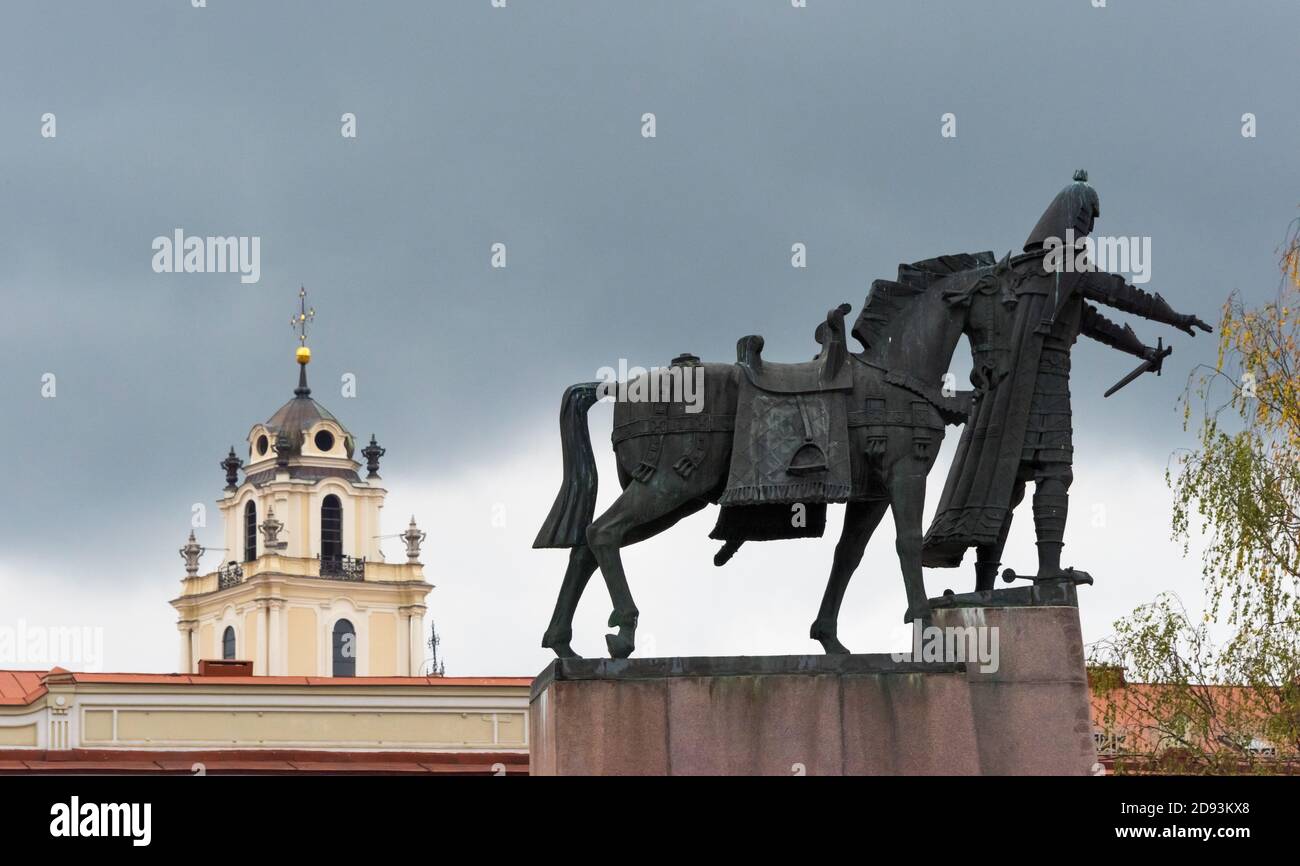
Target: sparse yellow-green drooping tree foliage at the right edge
1230, 705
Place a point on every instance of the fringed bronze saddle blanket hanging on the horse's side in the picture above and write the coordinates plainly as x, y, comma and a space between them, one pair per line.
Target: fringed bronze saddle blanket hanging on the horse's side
788, 448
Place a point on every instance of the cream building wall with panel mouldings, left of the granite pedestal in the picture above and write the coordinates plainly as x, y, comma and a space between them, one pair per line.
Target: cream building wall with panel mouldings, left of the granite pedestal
166, 713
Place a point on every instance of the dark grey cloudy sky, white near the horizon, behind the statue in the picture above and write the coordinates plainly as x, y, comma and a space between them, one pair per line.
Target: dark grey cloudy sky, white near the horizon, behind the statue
522, 125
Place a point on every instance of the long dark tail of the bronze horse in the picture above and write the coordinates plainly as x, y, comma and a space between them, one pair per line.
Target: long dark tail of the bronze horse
575, 505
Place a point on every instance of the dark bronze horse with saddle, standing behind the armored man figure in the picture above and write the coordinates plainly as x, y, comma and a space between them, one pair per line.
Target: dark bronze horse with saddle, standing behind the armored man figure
863, 428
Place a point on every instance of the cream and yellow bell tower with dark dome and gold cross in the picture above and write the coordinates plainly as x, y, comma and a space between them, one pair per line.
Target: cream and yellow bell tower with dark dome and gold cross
305, 590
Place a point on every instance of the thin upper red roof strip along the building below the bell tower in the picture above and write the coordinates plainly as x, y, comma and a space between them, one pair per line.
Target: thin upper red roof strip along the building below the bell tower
25, 687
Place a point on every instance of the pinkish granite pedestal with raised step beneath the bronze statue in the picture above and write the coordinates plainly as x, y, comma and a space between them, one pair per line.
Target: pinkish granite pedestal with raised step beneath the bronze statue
1029, 715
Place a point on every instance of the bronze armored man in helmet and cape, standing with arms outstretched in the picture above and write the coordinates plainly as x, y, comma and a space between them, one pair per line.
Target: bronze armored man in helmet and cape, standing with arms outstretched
1021, 430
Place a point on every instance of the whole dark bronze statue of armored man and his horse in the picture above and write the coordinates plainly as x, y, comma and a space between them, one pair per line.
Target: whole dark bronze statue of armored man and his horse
775, 444
